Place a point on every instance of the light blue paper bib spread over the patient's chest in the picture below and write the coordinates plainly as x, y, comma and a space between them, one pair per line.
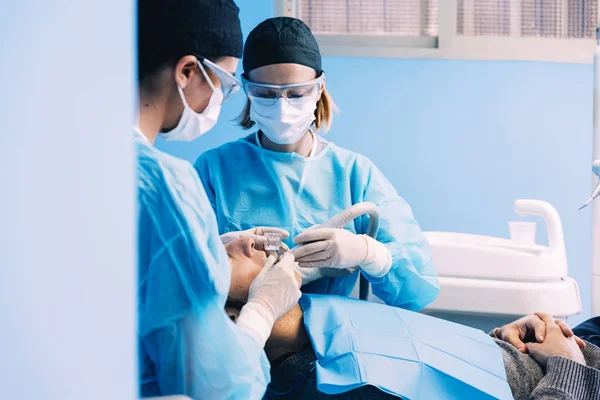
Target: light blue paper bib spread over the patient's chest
401, 352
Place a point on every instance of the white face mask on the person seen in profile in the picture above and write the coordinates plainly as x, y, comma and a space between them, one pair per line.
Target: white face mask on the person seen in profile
193, 125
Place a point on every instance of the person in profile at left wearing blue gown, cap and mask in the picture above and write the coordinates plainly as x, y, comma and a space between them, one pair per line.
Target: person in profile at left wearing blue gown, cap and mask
187, 53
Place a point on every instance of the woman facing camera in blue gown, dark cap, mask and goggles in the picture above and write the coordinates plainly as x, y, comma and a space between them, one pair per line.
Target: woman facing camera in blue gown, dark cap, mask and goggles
286, 175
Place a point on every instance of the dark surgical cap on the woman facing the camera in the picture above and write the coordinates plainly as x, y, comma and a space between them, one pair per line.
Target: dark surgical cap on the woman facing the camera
281, 40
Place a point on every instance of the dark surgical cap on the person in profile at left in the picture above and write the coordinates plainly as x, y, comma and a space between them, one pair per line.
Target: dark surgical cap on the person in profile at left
171, 29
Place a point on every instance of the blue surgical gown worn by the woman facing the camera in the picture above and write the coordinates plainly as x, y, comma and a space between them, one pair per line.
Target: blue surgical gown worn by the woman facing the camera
250, 186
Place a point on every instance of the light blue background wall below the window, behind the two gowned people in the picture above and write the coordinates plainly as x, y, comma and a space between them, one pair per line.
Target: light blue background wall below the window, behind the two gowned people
461, 140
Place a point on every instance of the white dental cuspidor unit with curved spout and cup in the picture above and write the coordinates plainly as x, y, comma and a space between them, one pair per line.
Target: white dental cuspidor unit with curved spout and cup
485, 281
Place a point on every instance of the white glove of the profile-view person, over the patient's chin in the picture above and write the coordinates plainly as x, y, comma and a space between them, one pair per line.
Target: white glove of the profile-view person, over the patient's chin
271, 295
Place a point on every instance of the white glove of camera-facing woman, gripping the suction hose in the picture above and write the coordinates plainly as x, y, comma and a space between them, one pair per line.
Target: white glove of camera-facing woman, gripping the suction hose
339, 248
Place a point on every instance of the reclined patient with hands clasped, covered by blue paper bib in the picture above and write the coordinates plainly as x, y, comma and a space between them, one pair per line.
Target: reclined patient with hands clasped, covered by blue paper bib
331, 347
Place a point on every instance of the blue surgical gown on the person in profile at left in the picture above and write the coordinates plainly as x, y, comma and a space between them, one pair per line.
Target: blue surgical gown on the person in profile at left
187, 344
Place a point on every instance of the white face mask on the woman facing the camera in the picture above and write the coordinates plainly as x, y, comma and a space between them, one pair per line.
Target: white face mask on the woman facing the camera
285, 121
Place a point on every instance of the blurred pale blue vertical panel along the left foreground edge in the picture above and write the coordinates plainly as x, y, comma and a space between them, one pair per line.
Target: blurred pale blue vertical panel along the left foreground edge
67, 266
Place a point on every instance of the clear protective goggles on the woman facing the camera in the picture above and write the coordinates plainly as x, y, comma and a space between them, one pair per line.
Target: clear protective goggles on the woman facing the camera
266, 92
